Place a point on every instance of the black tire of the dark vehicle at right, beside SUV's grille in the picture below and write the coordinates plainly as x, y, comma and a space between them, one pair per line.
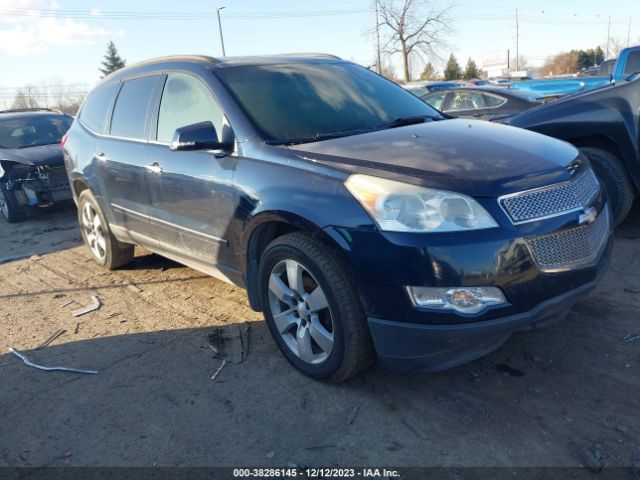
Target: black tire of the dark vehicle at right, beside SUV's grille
615, 178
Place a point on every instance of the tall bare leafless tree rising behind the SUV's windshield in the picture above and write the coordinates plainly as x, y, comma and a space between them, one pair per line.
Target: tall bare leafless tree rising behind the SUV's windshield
415, 27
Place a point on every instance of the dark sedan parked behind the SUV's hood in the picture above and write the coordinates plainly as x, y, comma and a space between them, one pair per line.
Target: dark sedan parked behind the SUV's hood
486, 103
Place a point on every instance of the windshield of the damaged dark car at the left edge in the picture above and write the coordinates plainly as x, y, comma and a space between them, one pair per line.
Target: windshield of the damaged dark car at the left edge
33, 130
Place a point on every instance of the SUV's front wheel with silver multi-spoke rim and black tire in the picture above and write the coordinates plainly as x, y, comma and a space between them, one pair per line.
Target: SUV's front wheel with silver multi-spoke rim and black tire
313, 310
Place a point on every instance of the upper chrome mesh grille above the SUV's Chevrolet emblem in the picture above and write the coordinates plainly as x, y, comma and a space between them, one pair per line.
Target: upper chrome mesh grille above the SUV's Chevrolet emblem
553, 200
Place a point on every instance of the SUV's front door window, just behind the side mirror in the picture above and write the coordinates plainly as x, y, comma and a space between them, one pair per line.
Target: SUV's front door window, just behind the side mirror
186, 101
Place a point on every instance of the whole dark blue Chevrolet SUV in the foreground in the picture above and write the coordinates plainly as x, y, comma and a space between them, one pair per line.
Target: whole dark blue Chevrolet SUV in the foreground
357, 218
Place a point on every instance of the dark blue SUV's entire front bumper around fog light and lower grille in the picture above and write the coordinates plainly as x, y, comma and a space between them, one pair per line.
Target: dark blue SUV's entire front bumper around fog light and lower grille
416, 339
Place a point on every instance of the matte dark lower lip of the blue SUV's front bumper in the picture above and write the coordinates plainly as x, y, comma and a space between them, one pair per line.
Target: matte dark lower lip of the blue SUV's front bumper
410, 347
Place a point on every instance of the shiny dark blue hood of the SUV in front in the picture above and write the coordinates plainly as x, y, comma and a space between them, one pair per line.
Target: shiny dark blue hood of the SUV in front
468, 156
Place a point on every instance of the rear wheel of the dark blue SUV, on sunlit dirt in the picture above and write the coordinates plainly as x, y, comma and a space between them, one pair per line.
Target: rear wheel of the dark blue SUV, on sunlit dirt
105, 249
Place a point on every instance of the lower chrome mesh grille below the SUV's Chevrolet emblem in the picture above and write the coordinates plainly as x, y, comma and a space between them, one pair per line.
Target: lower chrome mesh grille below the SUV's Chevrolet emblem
572, 247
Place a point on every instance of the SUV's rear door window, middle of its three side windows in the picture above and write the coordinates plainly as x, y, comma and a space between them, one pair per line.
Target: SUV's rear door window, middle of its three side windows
130, 113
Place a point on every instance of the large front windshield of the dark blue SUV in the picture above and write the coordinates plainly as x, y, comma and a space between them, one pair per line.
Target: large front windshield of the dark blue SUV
293, 103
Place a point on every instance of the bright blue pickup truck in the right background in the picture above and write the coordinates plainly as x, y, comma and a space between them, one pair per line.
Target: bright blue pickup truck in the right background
628, 63
